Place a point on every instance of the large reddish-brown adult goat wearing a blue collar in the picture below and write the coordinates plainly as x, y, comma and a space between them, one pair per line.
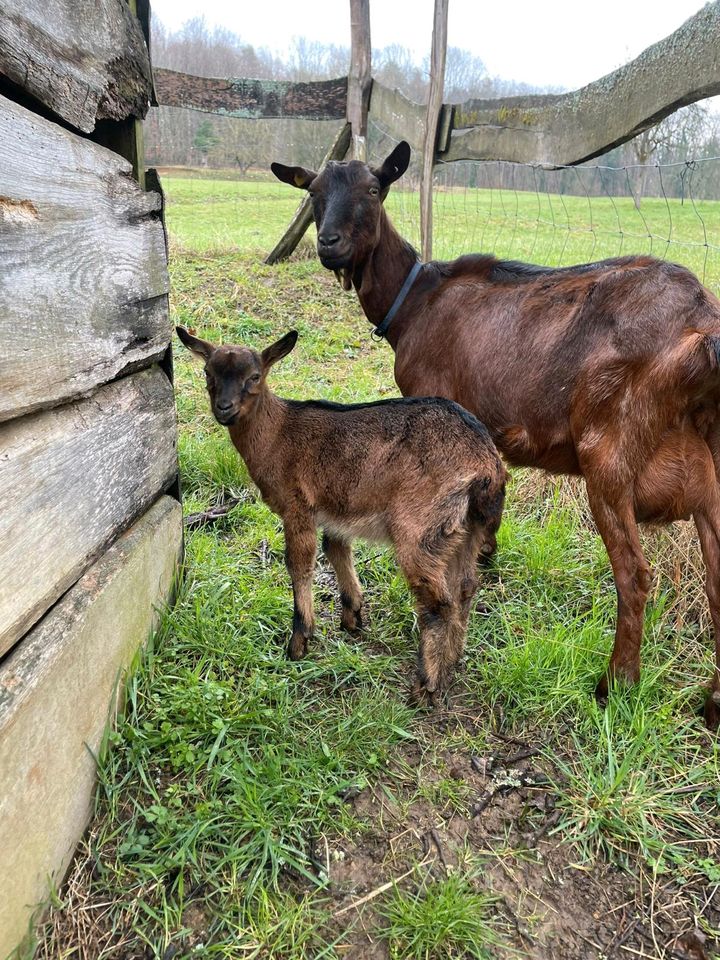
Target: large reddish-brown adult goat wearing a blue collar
609, 370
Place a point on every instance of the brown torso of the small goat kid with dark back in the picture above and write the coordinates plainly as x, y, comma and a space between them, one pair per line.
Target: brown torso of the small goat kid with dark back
362, 460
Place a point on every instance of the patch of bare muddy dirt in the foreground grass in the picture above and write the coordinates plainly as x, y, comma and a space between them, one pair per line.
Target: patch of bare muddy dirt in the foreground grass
550, 905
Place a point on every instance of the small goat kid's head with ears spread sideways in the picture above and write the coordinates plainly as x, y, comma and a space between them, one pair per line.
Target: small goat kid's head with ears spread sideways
235, 375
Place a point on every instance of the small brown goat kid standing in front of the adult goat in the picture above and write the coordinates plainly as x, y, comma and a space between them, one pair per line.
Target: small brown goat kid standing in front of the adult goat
421, 474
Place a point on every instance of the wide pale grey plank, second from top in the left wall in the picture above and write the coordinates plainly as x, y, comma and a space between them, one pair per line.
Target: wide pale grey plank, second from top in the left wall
83, 289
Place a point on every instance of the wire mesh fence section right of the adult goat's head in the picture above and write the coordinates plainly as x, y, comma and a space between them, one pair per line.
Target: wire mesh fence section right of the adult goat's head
568, 214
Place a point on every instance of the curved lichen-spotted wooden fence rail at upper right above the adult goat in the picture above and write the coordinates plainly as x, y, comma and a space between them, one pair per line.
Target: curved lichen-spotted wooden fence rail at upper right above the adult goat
573, 127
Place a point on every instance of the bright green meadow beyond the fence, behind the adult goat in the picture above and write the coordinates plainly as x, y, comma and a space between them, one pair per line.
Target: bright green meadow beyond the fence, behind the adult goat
207, 214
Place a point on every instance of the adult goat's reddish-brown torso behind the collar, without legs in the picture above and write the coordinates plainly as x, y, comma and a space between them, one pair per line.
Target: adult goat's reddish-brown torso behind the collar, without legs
528, 348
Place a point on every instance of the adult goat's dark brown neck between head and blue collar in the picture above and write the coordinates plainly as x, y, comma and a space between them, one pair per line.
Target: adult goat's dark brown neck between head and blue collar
379, 279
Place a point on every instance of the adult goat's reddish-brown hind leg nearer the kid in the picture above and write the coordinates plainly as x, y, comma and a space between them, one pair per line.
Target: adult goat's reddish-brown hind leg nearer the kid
618, 528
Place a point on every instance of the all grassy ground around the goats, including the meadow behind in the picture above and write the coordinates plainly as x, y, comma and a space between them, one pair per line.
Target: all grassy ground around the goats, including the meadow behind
250, 807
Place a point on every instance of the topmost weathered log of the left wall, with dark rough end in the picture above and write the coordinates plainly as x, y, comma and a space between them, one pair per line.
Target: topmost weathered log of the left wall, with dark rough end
83, 59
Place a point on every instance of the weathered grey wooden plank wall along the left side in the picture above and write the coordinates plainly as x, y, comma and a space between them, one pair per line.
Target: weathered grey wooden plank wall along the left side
89, 539
